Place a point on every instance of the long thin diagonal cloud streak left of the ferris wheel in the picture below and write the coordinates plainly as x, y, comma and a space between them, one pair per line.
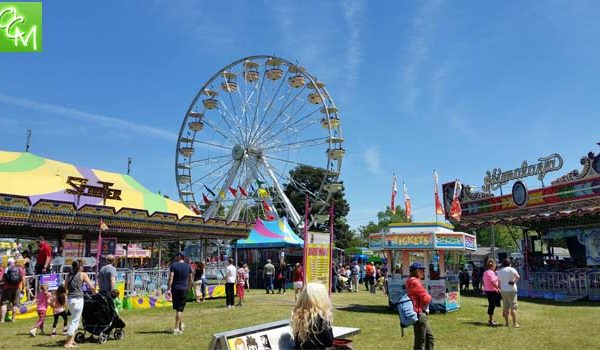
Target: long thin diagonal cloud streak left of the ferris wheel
85, 117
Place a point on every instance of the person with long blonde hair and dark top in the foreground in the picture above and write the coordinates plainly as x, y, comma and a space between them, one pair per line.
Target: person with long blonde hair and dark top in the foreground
312, 318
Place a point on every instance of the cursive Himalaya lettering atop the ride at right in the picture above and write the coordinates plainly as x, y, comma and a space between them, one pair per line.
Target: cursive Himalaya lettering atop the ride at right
496, 178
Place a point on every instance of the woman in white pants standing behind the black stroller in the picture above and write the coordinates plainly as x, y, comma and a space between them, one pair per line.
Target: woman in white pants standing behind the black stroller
74, 285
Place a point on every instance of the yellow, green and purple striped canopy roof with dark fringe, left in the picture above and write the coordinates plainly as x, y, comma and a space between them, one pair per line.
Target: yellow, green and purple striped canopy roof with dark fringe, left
44, 196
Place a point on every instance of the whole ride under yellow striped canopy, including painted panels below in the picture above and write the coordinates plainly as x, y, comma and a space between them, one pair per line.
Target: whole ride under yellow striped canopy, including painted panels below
66, 204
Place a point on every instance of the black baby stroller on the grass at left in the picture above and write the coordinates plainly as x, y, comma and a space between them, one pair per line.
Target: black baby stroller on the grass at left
100, 319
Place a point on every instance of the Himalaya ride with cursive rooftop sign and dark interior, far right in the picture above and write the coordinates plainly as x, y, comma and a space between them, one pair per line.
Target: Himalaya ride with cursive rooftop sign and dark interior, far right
564, 214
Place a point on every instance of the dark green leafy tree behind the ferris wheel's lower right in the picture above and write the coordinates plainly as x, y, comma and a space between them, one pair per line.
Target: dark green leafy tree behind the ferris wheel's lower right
309, 179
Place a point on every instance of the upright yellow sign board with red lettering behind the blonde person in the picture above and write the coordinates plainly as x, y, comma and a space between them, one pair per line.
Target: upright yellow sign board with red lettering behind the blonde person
317, 253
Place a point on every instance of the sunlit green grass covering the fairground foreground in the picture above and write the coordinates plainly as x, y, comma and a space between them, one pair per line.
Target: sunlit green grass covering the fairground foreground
546, 325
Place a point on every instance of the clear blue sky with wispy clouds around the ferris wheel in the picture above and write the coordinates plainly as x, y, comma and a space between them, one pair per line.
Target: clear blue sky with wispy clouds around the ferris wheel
461, 88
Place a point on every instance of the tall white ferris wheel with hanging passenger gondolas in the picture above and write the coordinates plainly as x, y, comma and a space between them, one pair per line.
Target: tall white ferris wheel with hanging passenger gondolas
248, 126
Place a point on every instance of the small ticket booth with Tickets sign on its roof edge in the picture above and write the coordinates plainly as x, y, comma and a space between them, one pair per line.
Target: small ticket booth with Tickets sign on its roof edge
436, 246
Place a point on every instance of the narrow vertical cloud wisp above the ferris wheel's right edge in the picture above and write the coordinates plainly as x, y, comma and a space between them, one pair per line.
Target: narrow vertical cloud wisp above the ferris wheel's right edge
353, 13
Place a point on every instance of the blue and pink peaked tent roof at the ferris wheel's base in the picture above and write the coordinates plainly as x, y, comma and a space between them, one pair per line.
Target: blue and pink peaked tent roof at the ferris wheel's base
271, 234
